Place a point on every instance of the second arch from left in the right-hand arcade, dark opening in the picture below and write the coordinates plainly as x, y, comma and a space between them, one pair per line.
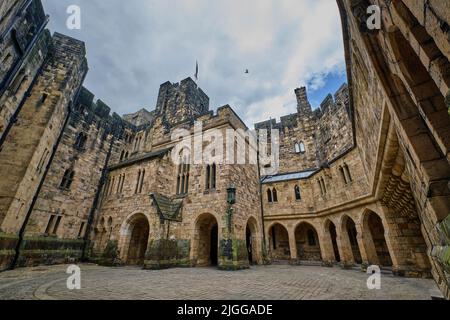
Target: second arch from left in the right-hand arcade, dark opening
307, 240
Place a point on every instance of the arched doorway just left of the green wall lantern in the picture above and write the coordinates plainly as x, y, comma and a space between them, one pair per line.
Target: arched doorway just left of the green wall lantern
206, 241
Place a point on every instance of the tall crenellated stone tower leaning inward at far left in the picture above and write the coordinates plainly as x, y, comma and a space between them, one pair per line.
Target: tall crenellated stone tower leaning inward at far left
36, 133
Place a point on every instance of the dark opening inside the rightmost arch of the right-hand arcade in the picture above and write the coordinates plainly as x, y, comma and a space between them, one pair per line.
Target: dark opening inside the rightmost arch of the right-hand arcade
374, 225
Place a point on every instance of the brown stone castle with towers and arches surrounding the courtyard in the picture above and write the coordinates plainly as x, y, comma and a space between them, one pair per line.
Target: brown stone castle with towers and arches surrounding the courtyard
363, 180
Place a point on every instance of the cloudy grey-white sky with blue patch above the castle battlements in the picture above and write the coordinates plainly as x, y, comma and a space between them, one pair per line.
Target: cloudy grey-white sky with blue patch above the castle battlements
135, 45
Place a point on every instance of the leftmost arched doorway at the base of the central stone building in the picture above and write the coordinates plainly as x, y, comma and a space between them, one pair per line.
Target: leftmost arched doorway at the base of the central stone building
137, 233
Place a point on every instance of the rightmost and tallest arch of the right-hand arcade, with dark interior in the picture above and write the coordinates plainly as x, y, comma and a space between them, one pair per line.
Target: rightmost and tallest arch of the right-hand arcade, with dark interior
377, 247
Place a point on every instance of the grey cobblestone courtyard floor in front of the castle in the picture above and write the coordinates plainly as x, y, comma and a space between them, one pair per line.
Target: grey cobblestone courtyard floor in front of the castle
262, 282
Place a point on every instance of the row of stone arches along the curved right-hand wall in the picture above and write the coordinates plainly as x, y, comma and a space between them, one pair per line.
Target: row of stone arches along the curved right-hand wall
350, 239
